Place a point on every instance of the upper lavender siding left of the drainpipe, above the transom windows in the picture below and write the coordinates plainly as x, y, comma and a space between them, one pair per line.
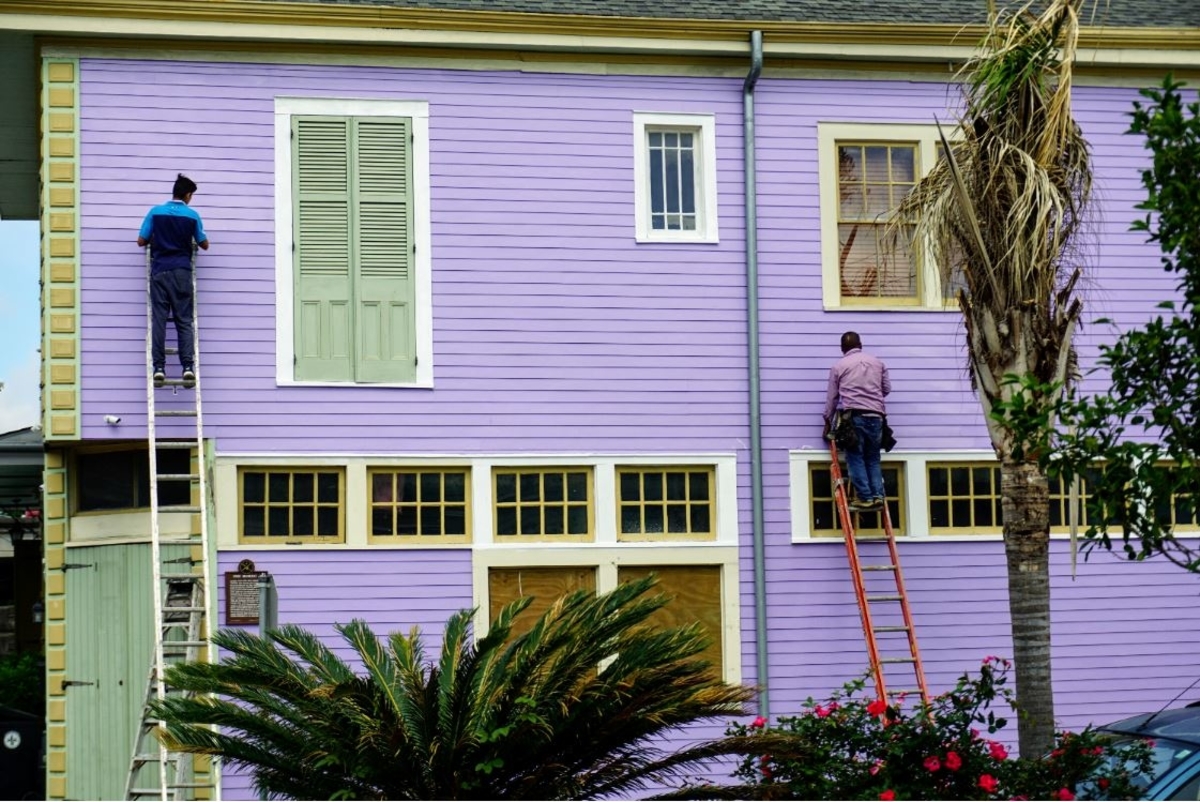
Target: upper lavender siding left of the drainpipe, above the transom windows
550, 321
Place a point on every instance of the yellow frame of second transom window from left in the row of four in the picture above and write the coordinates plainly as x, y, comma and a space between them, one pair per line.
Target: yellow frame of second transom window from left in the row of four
422, 510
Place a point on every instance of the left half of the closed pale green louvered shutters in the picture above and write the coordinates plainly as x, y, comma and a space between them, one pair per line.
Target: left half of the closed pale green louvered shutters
325, 307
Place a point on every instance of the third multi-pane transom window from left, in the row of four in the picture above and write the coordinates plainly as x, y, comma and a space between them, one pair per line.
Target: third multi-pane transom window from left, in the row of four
543, 504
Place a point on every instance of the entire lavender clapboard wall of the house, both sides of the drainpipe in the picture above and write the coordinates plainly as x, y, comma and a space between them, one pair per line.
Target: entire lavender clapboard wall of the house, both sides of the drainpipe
555, 332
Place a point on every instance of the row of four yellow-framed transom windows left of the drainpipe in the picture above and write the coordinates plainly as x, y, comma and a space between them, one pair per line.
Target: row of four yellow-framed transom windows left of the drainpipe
431, 506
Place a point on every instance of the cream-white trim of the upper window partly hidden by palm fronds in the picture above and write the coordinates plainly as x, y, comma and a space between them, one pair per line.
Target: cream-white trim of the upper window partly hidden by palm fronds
829, 134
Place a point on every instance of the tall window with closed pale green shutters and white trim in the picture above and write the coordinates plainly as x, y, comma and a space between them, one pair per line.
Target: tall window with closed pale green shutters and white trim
352, 212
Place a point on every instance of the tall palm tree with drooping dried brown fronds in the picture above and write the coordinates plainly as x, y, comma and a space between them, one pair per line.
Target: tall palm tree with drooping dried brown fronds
1003, 217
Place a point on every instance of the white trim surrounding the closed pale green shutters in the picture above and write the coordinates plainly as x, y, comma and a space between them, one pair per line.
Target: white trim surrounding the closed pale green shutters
285, 331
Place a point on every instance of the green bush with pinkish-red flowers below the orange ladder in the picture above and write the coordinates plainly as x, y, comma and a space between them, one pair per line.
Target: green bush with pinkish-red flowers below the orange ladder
862, 749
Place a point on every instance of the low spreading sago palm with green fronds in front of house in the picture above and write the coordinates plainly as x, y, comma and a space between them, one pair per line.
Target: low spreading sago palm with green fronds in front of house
572, 709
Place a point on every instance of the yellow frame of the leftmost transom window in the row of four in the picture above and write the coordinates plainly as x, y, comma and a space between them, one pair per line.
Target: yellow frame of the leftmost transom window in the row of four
291, 506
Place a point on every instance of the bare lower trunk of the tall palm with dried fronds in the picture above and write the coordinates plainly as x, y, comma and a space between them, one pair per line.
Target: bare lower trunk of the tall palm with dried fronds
1025, 498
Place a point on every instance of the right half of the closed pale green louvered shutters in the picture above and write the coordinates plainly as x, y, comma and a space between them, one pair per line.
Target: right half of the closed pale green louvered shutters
383, 218
